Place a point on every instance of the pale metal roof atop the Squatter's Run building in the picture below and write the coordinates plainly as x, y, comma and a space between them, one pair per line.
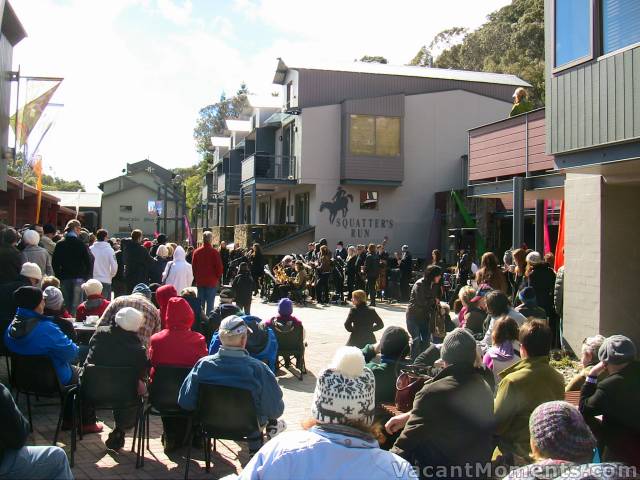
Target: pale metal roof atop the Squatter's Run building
404, 71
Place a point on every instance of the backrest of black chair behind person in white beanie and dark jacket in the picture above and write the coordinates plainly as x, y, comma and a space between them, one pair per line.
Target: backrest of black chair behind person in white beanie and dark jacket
110, 387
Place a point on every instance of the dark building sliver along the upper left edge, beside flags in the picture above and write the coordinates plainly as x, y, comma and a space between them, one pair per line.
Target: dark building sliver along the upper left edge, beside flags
11, 32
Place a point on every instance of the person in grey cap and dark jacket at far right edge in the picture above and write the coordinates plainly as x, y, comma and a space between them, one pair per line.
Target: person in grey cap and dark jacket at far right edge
616, 398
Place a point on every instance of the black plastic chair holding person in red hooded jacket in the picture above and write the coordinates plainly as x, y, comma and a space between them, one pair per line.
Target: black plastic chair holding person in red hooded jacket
163, 394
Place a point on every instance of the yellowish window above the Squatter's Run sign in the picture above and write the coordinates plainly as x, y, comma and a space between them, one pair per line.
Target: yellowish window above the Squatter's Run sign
374, 136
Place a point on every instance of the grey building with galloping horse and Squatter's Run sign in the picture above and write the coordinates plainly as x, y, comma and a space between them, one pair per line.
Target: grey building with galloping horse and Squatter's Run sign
357, 153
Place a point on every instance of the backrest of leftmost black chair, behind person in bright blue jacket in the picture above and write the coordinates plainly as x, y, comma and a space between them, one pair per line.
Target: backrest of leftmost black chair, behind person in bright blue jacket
34, 375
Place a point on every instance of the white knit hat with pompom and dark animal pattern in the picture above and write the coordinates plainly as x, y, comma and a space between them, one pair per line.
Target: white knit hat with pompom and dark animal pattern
346, 390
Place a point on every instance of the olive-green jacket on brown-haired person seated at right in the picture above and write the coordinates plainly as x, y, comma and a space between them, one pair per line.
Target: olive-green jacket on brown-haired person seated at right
523, 386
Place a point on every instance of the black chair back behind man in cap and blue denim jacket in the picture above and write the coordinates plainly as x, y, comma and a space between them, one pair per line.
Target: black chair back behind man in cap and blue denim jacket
227, 412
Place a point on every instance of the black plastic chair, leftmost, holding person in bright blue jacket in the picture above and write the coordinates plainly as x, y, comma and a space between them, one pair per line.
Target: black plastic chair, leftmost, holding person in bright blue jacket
36, 375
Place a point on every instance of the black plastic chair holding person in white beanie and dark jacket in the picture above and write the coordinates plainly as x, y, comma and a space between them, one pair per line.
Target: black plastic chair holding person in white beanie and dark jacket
115, 388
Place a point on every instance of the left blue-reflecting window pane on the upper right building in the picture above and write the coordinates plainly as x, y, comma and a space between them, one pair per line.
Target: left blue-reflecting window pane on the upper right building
572, 31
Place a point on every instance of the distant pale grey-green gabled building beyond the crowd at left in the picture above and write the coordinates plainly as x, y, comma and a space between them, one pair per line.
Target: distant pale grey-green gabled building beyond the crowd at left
146, 197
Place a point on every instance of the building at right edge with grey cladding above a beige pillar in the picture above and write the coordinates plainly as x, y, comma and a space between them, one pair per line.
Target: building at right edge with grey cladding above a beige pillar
593, 132
